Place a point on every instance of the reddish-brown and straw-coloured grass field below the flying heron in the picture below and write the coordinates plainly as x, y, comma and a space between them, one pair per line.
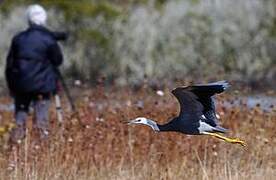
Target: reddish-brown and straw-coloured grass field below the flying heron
100, 146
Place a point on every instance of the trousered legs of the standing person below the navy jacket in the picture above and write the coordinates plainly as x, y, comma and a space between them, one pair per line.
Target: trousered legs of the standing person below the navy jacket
41, 104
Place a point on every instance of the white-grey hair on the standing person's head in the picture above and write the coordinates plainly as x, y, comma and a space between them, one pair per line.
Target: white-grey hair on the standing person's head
36, 15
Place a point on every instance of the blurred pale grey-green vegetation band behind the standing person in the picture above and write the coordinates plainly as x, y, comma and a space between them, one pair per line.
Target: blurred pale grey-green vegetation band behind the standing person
126, 41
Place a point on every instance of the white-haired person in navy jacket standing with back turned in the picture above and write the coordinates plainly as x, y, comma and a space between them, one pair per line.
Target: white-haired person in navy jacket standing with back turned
30, 74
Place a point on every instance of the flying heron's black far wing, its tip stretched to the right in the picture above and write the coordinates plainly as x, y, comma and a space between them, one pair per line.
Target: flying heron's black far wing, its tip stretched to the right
205, 93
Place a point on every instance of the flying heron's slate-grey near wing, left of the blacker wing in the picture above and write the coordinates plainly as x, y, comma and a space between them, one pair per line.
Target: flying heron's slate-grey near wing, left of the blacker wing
190, 108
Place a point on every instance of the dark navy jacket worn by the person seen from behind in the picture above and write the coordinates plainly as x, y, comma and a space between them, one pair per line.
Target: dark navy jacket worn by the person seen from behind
33, 56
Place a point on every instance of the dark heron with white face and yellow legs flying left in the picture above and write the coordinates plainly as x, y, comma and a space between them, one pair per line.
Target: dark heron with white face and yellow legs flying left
197, 112
